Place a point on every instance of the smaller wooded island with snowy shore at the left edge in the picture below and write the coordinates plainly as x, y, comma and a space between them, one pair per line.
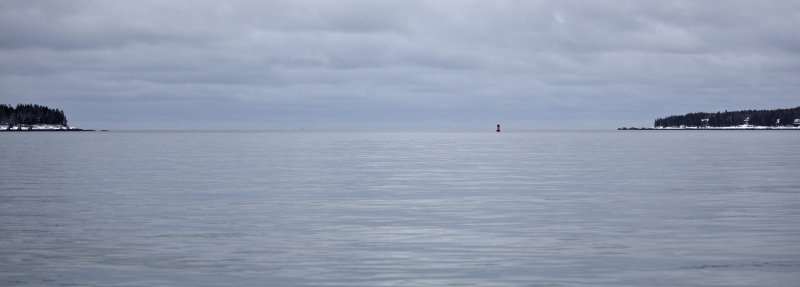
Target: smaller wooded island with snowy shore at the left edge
30, 117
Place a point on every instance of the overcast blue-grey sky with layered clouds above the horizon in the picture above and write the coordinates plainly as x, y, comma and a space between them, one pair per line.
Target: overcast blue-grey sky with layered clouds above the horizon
396, 64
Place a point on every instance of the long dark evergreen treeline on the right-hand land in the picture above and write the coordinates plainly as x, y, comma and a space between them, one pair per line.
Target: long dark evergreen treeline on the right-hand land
769, 118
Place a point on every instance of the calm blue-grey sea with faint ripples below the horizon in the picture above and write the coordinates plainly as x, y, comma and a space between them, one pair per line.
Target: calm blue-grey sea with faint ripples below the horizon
615, 208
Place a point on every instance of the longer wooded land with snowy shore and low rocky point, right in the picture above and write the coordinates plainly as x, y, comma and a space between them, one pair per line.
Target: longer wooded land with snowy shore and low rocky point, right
779, 119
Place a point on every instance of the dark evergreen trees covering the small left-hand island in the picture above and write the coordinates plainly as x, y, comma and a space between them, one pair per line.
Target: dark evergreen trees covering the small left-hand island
31, 115
